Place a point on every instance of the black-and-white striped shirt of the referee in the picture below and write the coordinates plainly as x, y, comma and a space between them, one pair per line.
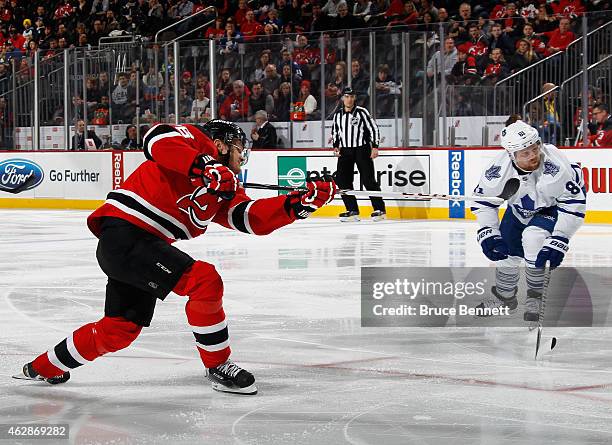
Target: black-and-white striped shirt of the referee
354, 129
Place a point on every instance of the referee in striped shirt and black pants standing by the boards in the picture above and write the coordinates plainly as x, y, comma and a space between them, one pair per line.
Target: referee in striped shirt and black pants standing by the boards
356, 137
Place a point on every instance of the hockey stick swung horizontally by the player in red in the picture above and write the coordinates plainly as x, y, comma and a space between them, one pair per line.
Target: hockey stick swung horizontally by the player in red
510, 189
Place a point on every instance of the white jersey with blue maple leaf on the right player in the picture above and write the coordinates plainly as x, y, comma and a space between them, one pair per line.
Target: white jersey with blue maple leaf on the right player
556, 182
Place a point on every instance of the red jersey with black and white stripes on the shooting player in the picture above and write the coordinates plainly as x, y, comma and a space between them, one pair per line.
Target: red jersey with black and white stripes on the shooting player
160, 198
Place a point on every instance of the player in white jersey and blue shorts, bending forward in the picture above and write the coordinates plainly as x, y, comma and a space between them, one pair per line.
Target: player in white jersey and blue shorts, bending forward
541, 217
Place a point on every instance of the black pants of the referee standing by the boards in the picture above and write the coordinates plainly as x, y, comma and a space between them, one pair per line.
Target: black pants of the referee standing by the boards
346, 173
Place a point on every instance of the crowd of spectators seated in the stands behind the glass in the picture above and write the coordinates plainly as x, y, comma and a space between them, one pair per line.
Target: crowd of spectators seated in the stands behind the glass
484, 42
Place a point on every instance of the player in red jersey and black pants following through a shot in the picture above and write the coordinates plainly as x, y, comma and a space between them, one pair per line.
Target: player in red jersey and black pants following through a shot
188, 181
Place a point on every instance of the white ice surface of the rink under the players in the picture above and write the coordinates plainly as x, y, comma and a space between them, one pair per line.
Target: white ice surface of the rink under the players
293, 304
